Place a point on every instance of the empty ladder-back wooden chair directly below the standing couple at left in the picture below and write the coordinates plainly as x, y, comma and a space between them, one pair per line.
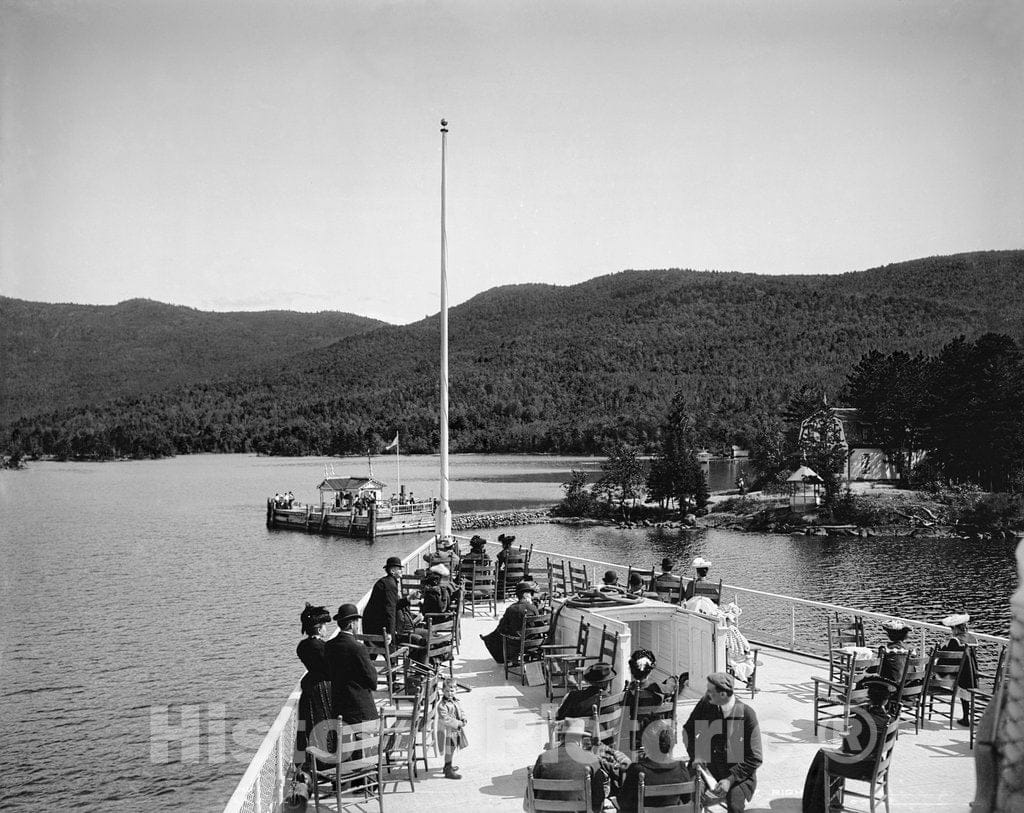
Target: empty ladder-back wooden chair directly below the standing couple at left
358, 759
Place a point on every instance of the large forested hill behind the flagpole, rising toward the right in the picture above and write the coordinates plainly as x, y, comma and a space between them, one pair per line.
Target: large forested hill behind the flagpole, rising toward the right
544, 368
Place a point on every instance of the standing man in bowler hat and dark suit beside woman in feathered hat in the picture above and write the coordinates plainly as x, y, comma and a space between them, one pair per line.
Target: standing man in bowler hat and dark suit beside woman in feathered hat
354, 678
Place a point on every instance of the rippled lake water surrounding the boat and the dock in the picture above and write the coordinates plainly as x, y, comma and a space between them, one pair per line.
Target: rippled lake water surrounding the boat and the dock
146, 605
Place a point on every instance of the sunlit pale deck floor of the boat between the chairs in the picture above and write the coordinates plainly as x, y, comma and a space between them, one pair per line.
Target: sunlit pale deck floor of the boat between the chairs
933, 772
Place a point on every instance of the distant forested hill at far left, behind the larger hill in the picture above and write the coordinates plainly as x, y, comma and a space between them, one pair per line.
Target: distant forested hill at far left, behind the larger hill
58, 356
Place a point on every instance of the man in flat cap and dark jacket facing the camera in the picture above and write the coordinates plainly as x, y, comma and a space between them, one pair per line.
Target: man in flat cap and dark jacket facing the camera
723, 736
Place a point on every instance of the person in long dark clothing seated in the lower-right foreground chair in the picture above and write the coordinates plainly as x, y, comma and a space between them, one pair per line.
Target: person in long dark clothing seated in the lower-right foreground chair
857, 759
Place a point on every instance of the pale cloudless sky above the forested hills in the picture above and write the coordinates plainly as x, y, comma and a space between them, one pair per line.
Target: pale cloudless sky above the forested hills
281, 155
